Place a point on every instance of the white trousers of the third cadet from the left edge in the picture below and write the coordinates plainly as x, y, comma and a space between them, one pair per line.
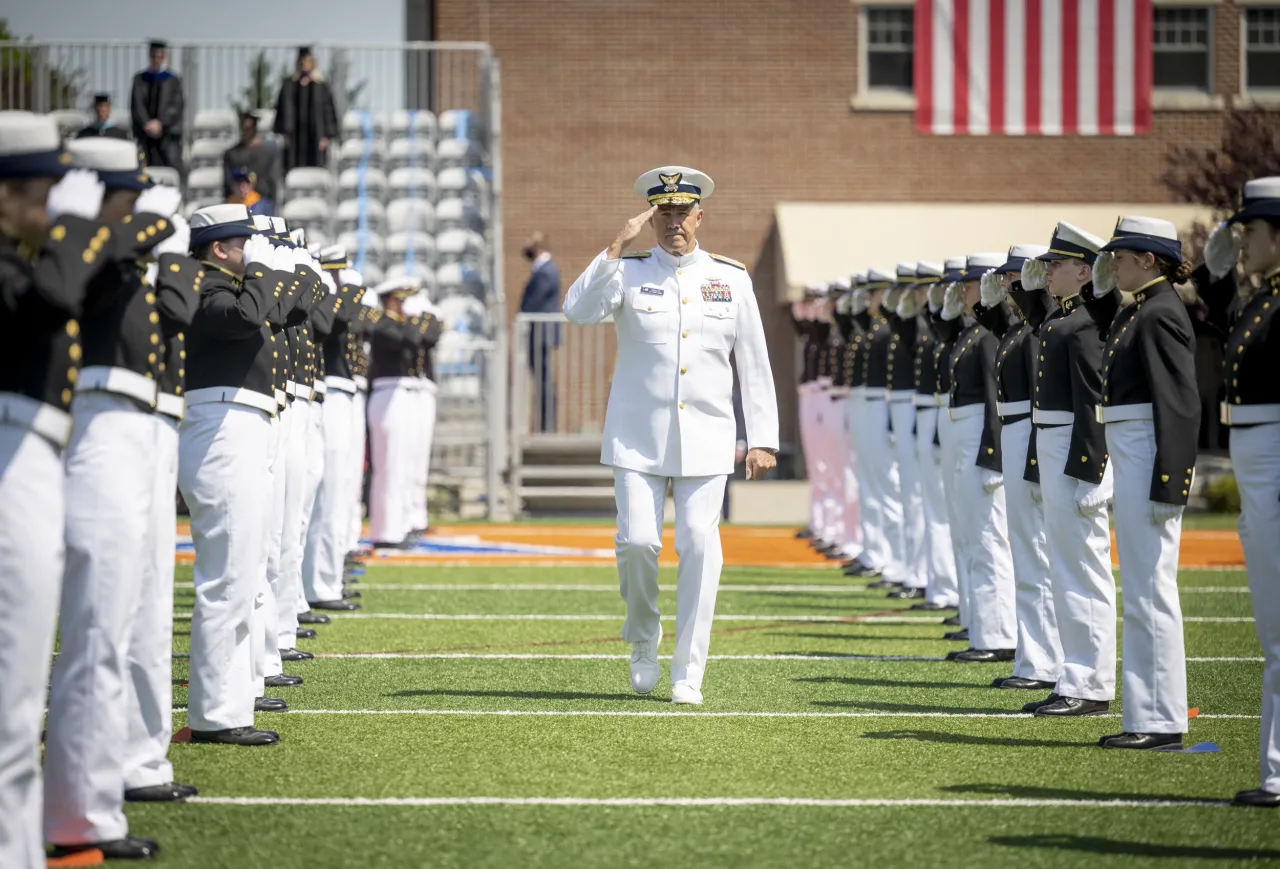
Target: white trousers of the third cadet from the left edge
150, 685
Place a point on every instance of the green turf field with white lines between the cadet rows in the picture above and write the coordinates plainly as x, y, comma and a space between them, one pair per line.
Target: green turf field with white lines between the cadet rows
822, 743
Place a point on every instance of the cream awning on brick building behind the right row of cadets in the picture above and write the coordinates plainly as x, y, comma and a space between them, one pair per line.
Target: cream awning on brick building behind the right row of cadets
822, 241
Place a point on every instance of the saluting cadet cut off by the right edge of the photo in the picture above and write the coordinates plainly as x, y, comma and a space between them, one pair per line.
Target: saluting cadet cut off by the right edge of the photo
1252, 410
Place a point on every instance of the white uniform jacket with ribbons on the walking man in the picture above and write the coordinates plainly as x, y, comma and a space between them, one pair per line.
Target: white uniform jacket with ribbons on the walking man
671, 404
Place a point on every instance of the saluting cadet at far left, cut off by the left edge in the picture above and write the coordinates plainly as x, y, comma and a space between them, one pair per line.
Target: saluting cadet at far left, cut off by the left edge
51, 250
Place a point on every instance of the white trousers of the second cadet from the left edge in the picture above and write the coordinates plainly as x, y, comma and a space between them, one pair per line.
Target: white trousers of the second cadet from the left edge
111, 479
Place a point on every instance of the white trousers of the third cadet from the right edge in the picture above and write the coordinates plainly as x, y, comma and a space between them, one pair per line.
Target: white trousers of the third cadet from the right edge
1080, 561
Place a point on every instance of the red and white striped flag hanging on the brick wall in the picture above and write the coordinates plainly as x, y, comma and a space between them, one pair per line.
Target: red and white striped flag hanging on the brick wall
1034, 67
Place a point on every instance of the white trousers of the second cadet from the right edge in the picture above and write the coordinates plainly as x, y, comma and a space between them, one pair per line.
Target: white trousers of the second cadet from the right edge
1154, 657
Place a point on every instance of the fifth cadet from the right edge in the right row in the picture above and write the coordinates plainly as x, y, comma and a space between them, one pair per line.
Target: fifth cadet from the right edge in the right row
982, 533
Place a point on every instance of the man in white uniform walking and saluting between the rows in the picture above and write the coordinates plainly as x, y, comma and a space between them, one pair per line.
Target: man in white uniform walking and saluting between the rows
679, 313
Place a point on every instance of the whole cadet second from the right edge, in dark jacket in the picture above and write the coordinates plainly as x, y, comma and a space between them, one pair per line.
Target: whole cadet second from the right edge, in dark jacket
1151, 410
